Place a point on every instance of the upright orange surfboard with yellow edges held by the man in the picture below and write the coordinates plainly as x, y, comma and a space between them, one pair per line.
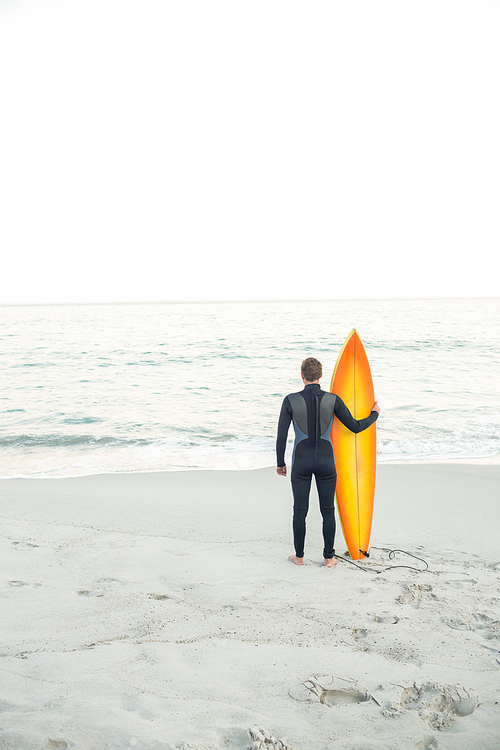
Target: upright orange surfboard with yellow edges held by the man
355, 455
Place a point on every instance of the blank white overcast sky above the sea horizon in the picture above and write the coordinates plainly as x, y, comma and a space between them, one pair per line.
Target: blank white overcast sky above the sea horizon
253, 149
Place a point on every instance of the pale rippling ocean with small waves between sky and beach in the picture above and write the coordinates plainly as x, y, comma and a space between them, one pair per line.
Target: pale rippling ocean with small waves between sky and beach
99, 388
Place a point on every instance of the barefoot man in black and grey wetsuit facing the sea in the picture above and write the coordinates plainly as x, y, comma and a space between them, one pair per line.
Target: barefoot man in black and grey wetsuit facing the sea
312, 411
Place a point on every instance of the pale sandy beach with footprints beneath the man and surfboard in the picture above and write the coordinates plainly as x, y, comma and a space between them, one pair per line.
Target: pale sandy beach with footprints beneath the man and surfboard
160, 611
